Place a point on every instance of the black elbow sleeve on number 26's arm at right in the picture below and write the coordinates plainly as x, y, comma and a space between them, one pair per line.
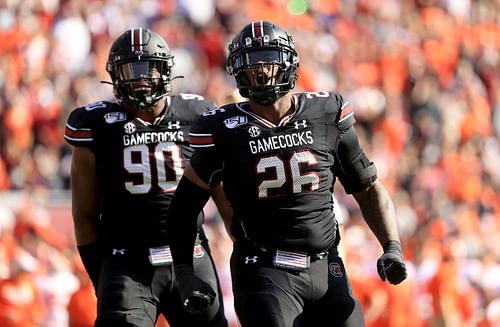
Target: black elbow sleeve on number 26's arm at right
354, 170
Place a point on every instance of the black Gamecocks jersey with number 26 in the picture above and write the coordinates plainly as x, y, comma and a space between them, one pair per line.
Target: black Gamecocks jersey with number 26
279, 178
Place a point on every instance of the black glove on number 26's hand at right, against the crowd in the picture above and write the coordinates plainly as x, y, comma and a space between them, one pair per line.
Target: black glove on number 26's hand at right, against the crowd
391, 265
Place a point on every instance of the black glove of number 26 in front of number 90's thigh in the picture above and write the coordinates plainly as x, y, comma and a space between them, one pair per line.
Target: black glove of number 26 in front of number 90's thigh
196, 295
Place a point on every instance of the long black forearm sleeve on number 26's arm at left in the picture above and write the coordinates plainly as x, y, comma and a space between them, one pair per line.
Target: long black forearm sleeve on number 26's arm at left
188, 201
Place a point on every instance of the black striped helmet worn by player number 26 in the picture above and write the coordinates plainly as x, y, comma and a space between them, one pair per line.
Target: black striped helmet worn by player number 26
264, 62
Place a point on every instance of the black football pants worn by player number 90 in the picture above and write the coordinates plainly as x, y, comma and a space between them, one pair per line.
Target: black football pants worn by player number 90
132, 292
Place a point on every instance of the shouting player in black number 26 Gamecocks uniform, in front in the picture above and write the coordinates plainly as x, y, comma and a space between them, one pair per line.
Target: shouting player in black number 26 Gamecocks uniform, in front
278, 156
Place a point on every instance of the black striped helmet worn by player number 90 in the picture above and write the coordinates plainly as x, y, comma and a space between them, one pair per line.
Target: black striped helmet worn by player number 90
140, 66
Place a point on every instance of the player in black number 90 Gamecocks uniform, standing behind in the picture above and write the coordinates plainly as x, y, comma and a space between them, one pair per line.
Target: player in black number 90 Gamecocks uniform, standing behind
128, 157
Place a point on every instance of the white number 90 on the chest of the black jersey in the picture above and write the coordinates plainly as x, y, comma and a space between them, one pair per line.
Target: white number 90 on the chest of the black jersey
166, 182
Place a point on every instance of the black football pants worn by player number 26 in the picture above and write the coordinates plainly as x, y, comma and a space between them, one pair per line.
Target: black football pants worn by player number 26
265, 295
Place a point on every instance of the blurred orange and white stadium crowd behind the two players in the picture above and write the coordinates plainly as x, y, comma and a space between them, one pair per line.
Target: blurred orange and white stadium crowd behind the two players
423, 78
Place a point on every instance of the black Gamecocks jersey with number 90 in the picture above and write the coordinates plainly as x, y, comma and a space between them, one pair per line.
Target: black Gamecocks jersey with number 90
138, 164
